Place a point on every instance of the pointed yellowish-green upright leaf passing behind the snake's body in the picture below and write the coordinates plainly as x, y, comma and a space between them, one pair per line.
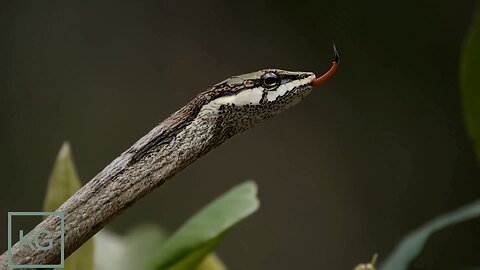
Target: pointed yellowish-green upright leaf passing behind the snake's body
63, 183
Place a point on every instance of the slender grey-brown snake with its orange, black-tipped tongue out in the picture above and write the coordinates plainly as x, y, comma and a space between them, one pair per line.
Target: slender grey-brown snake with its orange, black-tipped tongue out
229, 107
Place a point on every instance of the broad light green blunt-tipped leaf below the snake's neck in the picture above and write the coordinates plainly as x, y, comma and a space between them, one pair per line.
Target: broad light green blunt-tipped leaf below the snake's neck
200, 235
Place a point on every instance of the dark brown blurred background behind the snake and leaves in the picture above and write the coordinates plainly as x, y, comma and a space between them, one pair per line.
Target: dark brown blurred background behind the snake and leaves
370, 155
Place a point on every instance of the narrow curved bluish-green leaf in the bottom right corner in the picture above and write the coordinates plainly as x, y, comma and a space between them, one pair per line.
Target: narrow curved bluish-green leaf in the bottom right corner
412, 244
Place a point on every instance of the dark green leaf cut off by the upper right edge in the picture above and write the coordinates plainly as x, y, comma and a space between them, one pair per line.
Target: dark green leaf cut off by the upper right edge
470, 81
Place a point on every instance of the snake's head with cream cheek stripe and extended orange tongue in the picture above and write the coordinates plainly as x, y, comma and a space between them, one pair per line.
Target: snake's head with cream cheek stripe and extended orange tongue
247, 99
